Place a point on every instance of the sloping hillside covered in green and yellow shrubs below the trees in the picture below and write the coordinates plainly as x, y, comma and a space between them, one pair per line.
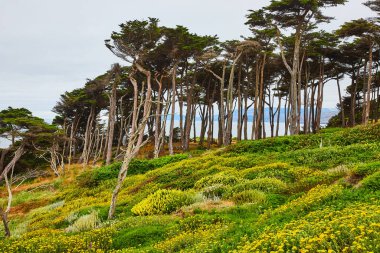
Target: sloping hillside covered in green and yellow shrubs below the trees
288, 194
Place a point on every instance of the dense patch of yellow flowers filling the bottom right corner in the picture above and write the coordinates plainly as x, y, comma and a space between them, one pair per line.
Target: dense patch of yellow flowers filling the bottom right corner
354, 229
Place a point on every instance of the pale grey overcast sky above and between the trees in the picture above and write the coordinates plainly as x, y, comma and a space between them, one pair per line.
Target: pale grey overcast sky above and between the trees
48, 47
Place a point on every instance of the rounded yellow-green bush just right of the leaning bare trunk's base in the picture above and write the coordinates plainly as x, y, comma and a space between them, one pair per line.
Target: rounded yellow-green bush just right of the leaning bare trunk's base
162, 202
